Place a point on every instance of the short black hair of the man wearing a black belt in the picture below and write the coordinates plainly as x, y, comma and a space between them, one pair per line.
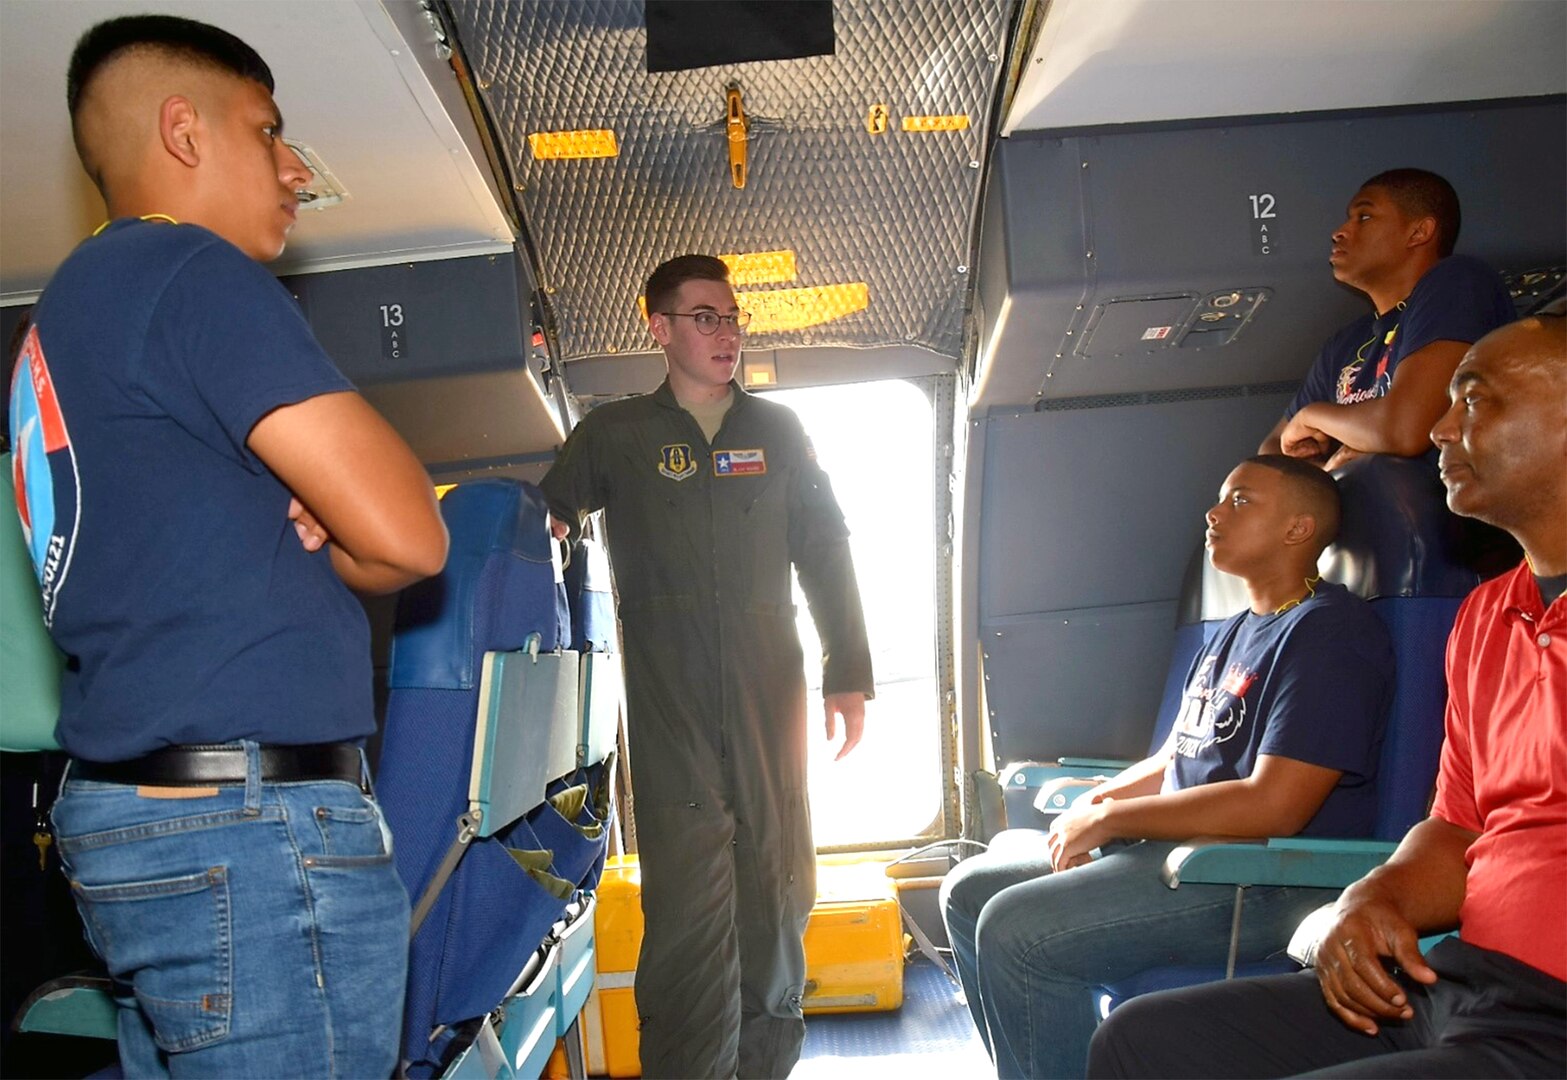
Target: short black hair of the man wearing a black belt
184, 40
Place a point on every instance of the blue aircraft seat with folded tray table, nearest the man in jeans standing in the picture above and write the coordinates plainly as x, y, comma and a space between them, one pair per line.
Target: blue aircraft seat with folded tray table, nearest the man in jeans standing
499, 821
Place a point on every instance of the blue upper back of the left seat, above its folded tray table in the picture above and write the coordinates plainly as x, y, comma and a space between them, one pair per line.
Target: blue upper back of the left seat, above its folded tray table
446, 625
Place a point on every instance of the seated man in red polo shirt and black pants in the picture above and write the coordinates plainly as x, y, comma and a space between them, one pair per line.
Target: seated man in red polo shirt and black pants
1493, 857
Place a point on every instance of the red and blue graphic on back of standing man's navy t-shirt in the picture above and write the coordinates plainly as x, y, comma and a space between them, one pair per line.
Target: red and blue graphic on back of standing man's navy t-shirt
45, 469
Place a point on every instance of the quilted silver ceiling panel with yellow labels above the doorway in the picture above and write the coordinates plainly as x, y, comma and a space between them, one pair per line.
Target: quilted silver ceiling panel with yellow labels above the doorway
852, 220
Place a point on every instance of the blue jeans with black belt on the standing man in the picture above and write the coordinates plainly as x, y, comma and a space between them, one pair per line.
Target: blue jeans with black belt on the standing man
252, 930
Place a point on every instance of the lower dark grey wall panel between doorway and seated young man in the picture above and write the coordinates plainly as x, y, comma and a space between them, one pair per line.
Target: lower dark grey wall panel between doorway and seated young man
1040, 712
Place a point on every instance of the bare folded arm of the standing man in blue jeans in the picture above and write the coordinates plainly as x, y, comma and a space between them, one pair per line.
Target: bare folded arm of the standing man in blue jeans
358, 484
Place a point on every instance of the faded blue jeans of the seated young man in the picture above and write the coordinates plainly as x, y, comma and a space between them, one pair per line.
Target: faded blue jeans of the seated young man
1033, 946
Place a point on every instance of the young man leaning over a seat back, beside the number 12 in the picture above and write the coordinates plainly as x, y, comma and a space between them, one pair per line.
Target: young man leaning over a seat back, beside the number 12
1380, 383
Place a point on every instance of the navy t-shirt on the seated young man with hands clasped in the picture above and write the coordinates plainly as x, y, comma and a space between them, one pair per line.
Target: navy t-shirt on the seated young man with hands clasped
1312, 684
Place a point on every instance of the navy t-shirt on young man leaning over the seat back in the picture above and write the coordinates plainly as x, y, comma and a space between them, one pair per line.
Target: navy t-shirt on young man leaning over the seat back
1458, 300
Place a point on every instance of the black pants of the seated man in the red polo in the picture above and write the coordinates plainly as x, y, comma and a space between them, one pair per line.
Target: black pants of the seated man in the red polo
1486, 1017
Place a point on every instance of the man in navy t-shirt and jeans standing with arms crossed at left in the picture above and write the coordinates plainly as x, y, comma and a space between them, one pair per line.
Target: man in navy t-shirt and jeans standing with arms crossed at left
200, 490
